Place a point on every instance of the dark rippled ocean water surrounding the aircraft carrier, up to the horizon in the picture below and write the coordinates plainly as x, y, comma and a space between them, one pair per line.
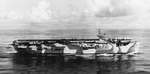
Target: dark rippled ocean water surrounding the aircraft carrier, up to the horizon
12, 63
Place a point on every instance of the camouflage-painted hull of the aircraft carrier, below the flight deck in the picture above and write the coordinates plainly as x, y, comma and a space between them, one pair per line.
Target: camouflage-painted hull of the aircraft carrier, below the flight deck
108, 51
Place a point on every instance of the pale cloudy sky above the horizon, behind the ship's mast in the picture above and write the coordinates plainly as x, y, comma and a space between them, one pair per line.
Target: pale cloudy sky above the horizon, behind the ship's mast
72, 14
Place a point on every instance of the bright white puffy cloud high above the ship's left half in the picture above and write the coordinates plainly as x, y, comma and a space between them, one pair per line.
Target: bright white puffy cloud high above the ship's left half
41, 12
